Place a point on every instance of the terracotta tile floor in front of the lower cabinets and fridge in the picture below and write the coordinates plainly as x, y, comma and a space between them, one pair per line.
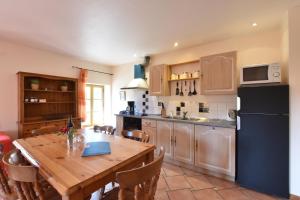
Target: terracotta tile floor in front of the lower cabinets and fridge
178, 183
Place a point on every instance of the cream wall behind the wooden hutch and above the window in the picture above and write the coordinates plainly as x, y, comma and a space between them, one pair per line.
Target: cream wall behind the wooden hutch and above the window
16, 57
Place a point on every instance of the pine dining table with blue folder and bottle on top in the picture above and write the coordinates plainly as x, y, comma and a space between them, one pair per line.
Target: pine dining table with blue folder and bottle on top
76, 177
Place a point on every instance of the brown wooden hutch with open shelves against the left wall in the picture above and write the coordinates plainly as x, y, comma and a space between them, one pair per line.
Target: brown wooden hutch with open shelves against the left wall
47, 105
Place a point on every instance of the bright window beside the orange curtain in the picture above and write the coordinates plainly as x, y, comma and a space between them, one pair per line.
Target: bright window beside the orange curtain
94, 97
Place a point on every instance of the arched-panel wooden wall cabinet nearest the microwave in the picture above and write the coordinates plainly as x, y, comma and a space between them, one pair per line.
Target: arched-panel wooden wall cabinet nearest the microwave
218, 74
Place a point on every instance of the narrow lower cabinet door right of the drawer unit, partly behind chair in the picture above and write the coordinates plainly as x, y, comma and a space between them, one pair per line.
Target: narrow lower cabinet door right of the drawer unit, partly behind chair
164, 137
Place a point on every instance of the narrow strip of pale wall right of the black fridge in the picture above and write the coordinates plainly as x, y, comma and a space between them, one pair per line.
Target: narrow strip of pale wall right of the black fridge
294, 81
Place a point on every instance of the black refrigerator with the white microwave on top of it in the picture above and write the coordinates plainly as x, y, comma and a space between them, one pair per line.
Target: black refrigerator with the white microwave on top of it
263, 139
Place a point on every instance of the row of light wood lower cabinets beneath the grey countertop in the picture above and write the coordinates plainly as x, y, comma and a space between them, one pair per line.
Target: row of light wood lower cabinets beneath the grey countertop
199, 147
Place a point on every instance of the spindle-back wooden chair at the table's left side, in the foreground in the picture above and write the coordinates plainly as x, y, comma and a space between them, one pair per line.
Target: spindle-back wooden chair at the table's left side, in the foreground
25, 179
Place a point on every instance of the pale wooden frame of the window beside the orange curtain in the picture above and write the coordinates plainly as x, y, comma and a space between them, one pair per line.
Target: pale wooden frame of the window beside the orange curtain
91, 99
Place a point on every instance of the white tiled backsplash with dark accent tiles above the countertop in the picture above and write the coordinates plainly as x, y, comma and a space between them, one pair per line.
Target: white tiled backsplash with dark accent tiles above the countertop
218, 104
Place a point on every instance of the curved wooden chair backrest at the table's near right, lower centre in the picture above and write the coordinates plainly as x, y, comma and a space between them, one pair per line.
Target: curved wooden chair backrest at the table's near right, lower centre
140, 183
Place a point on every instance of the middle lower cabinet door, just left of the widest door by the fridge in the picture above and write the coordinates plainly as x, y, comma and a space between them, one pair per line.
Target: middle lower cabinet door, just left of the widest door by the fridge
184, 142
